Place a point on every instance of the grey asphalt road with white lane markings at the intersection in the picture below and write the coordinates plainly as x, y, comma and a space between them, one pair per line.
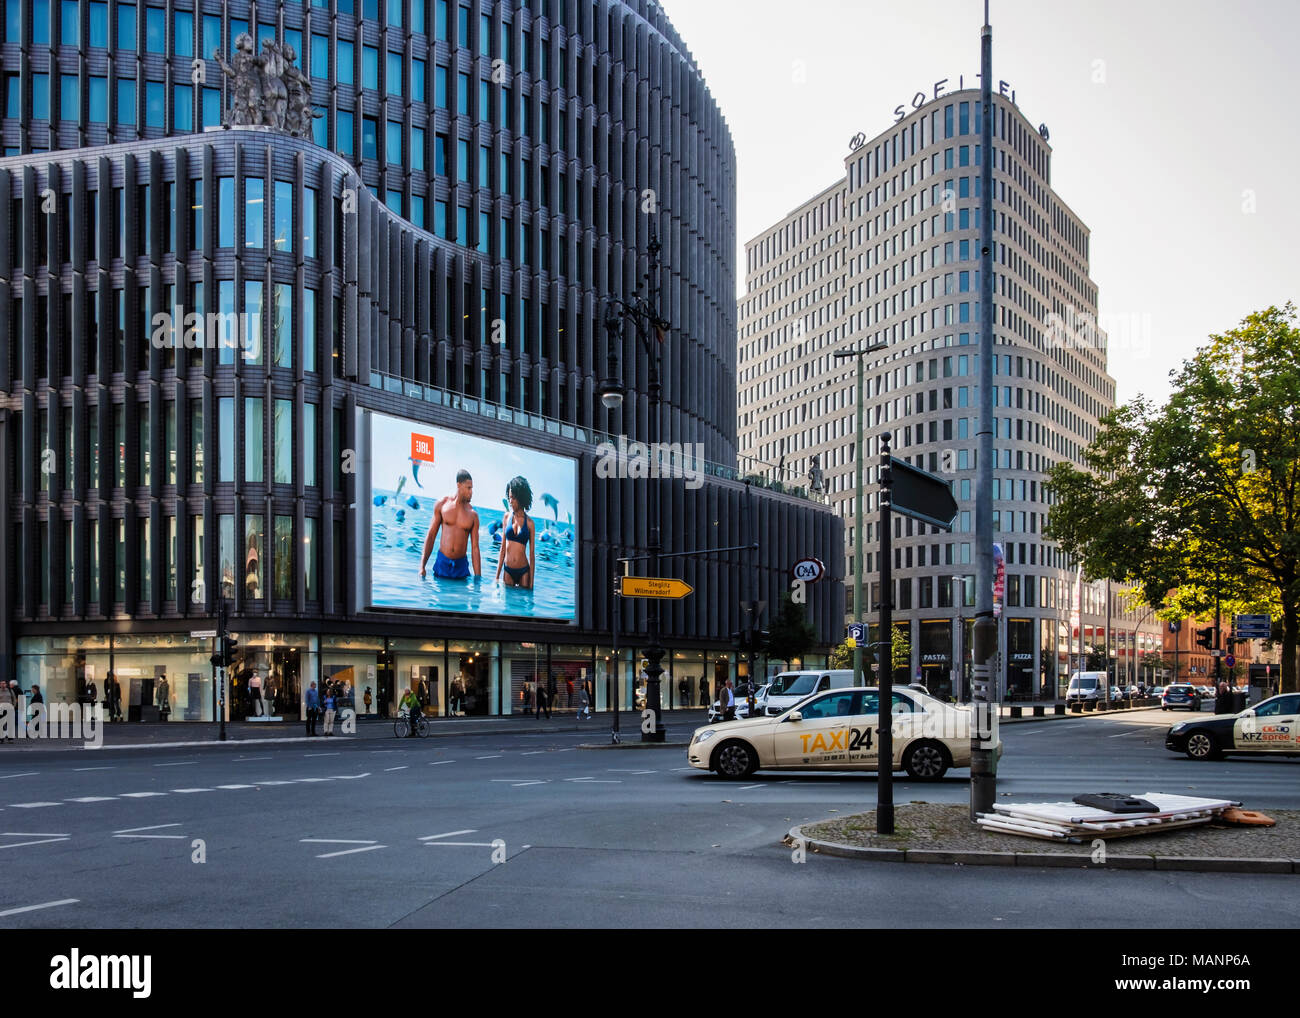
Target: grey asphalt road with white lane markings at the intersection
530, 830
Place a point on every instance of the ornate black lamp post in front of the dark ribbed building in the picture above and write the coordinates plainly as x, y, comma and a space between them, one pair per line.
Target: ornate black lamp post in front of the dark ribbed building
645, 318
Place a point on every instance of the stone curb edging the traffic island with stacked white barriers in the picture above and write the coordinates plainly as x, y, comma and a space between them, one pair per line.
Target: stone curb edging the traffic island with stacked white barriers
1050, 860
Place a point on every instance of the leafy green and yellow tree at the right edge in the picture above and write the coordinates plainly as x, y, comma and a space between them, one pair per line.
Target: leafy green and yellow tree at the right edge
1201, 497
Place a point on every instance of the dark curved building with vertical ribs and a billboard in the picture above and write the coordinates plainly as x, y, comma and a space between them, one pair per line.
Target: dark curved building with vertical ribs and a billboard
218, 343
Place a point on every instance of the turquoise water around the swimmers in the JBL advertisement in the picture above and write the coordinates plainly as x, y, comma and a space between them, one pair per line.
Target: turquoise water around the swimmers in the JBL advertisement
396, 547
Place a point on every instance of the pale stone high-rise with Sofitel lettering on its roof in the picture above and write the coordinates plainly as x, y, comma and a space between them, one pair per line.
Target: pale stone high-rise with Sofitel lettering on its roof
890, 254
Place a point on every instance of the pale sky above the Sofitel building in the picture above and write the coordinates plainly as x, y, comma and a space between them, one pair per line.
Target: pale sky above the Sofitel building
1175, 133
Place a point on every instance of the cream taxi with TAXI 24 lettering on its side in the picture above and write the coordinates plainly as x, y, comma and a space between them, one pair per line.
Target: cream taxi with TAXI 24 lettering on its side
839, 731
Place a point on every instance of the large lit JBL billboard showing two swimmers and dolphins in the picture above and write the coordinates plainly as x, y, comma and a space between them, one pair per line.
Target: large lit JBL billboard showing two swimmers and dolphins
469, 525
